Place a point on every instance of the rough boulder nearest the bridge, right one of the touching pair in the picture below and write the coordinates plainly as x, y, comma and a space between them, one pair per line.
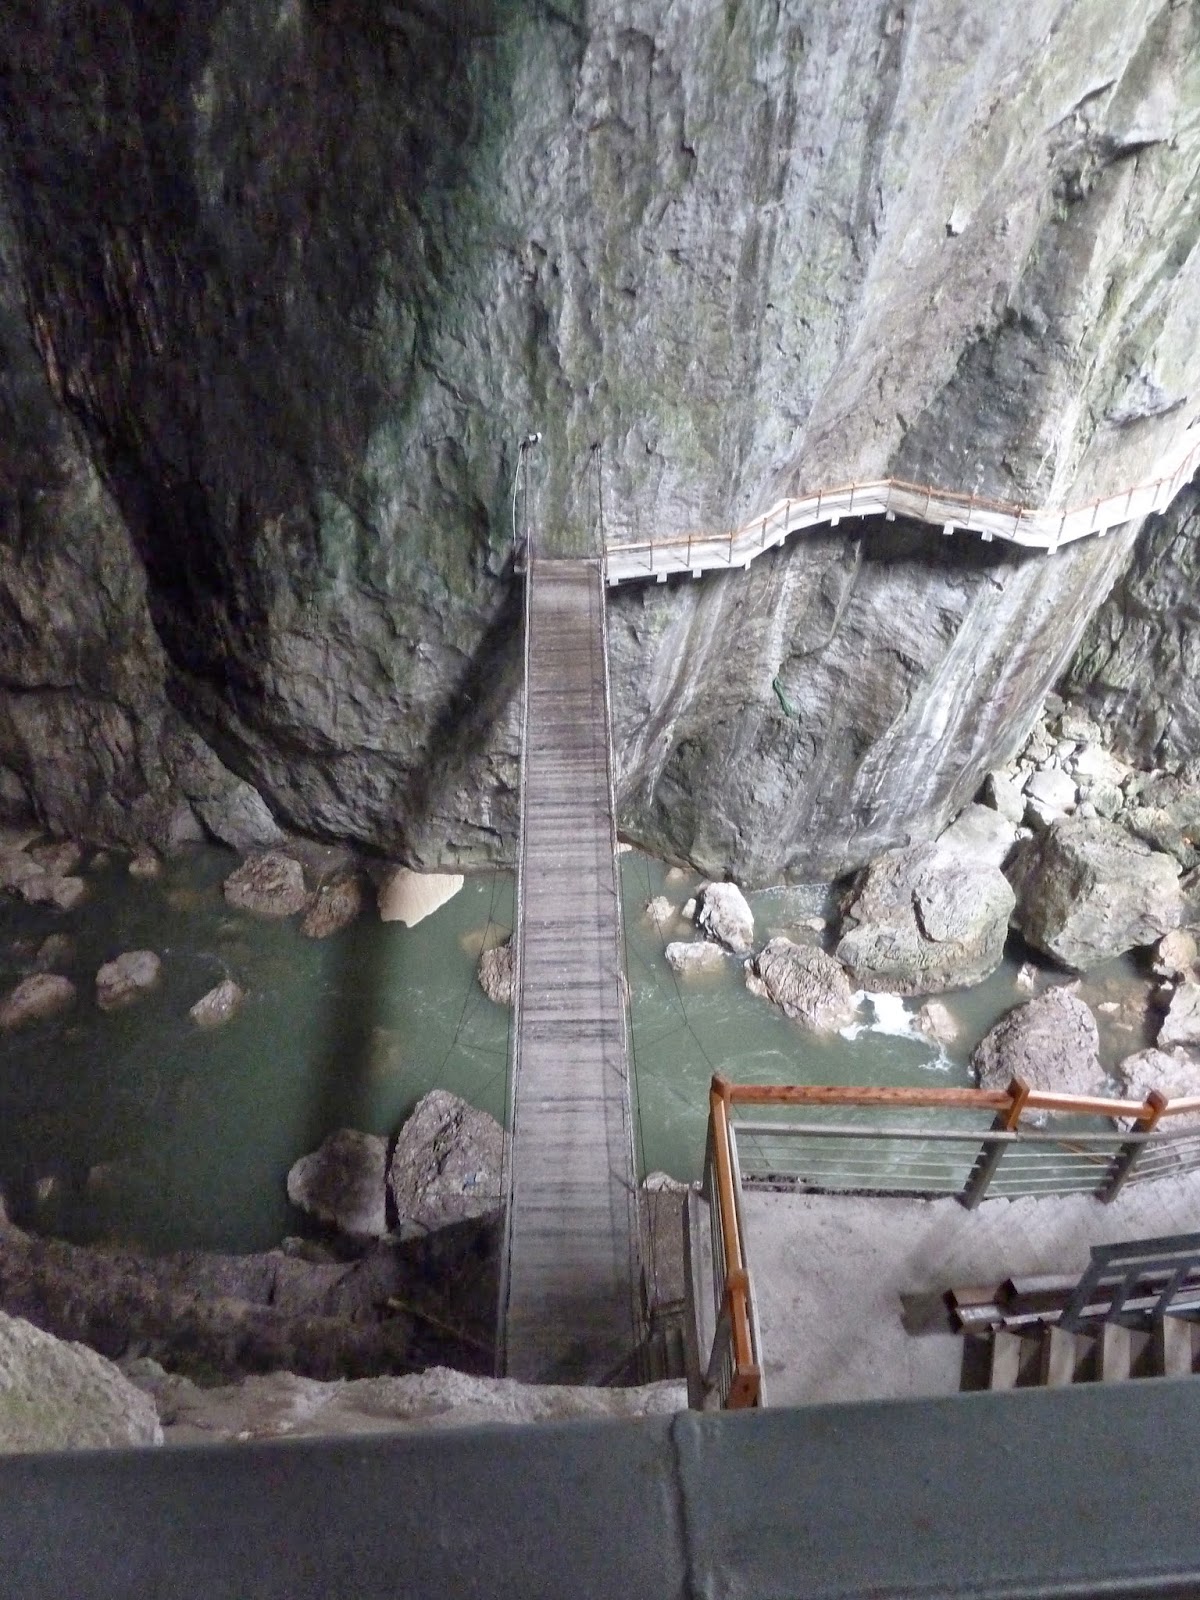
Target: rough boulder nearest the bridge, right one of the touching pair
449, 1162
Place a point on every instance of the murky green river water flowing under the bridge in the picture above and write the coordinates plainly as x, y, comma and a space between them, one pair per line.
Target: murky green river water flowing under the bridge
167, 1137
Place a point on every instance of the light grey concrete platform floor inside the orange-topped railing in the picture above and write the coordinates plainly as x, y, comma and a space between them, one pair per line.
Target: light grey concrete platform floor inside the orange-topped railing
838, 1278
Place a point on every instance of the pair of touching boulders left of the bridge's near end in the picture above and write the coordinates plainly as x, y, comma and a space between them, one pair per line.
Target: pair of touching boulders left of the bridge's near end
447, 1167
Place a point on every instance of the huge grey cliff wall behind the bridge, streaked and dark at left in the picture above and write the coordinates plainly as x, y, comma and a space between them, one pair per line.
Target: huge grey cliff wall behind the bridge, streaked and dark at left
284, 282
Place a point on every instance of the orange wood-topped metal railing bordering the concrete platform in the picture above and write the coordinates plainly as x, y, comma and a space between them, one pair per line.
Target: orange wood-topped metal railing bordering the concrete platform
886, 1142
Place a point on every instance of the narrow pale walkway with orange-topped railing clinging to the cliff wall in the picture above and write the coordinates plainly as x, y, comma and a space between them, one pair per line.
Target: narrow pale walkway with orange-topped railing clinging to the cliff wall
1033, 527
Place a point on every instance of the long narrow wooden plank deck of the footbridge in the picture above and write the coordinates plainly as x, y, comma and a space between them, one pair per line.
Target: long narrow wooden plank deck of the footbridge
572, 1300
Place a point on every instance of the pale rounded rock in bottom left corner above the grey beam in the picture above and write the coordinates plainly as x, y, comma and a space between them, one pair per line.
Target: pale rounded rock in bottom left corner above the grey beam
58, 1396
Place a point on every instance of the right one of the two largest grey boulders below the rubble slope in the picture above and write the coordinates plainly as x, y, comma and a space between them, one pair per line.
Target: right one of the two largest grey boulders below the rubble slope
1087, 892
